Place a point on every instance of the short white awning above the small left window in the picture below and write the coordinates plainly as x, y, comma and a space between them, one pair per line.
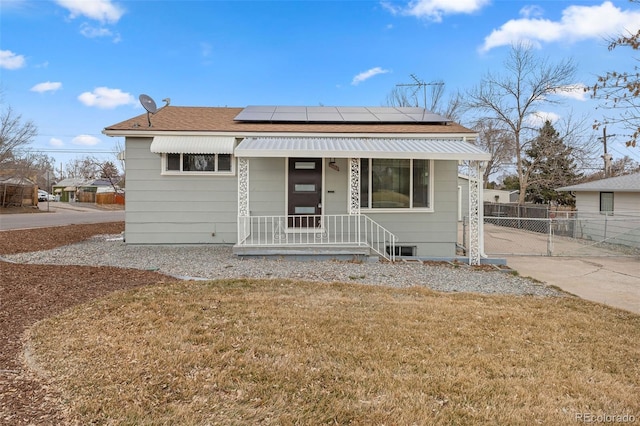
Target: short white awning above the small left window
193, 144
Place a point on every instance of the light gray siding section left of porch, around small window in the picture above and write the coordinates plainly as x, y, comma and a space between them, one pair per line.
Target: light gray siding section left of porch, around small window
170, 209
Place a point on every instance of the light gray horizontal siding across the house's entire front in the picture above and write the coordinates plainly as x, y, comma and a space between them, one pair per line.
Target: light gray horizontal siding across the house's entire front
191, 209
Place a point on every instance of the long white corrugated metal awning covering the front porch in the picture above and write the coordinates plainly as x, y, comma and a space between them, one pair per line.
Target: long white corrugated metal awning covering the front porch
431, 149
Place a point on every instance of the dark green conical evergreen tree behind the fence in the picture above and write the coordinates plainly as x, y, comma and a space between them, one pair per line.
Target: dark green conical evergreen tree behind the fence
550, 165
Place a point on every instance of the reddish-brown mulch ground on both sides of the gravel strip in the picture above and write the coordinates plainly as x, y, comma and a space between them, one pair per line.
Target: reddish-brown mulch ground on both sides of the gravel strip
29, 293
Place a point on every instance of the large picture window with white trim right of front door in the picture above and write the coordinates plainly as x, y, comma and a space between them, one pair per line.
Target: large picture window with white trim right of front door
388, 183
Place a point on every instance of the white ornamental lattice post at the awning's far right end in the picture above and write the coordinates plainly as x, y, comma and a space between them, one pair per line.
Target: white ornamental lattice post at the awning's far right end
476, 213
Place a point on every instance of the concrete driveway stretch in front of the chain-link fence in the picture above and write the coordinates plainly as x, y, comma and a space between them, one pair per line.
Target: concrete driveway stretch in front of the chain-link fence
613, 281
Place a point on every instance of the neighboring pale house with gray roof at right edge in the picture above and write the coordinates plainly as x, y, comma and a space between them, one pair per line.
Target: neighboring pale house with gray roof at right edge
609, 209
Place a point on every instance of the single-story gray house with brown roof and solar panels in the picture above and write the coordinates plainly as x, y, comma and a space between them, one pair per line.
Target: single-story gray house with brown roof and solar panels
296, 180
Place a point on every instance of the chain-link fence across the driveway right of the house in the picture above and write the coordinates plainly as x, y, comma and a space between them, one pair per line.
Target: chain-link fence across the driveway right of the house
564, 234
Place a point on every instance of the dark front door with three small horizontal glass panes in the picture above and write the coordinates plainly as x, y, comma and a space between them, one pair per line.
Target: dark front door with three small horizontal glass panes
305, 192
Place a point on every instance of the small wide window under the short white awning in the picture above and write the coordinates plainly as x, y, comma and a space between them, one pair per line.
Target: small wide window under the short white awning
197, 163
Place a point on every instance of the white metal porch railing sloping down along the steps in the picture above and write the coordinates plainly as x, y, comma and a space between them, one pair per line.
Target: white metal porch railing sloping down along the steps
265, 231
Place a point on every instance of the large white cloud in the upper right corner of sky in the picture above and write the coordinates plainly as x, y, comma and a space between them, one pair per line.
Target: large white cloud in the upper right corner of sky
577, 23
